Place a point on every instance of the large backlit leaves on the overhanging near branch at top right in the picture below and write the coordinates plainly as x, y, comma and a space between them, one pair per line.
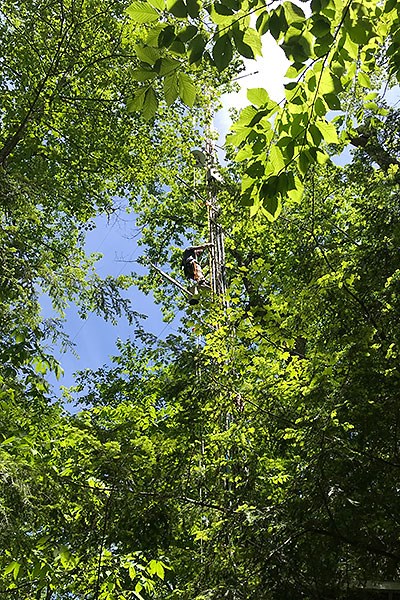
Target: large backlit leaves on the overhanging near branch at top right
333, 52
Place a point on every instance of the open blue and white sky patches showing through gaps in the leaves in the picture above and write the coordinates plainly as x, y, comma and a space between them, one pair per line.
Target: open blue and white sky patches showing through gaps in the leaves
115, 239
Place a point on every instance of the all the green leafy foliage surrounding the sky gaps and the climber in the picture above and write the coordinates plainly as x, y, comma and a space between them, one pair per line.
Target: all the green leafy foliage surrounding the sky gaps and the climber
255, 454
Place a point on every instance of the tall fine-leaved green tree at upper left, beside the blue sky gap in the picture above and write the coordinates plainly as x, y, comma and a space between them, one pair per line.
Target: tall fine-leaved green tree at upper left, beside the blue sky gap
69, 150
